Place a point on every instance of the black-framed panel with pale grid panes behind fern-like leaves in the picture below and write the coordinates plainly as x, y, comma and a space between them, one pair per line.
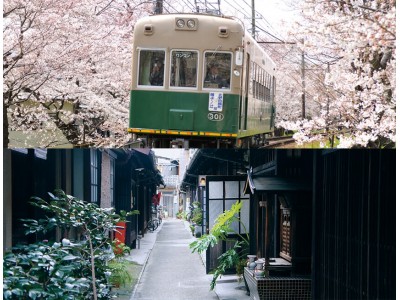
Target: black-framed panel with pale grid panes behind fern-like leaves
221, 193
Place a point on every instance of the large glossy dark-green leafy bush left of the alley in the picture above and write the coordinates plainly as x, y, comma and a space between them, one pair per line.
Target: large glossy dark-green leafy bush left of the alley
67, 269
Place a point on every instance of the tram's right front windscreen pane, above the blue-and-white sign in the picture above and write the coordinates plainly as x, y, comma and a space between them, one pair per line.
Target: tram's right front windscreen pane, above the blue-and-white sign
217, 70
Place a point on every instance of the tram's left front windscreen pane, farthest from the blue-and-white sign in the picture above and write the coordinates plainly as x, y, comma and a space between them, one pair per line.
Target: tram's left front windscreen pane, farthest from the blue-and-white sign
151, 67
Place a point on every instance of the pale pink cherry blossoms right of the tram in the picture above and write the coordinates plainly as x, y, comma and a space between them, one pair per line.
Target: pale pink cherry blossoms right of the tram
354, 41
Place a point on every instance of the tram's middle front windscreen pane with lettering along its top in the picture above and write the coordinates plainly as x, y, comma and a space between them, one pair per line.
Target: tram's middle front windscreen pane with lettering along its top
184, 68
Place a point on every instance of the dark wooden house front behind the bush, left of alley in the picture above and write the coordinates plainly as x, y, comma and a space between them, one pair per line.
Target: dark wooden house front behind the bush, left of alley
124, 179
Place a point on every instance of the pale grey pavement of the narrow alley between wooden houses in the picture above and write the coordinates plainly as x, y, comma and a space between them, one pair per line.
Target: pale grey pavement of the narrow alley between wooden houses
172, 271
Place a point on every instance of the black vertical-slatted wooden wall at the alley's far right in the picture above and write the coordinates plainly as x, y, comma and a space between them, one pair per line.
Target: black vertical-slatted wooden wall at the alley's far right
354, 225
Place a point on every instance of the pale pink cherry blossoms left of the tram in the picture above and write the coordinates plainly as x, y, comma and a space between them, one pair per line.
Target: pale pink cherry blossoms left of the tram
66, 66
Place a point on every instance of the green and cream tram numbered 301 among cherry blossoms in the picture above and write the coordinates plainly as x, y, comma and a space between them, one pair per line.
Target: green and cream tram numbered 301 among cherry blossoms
201, 81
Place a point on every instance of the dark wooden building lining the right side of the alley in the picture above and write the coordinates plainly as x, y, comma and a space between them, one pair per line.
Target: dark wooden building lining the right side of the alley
324, 220
